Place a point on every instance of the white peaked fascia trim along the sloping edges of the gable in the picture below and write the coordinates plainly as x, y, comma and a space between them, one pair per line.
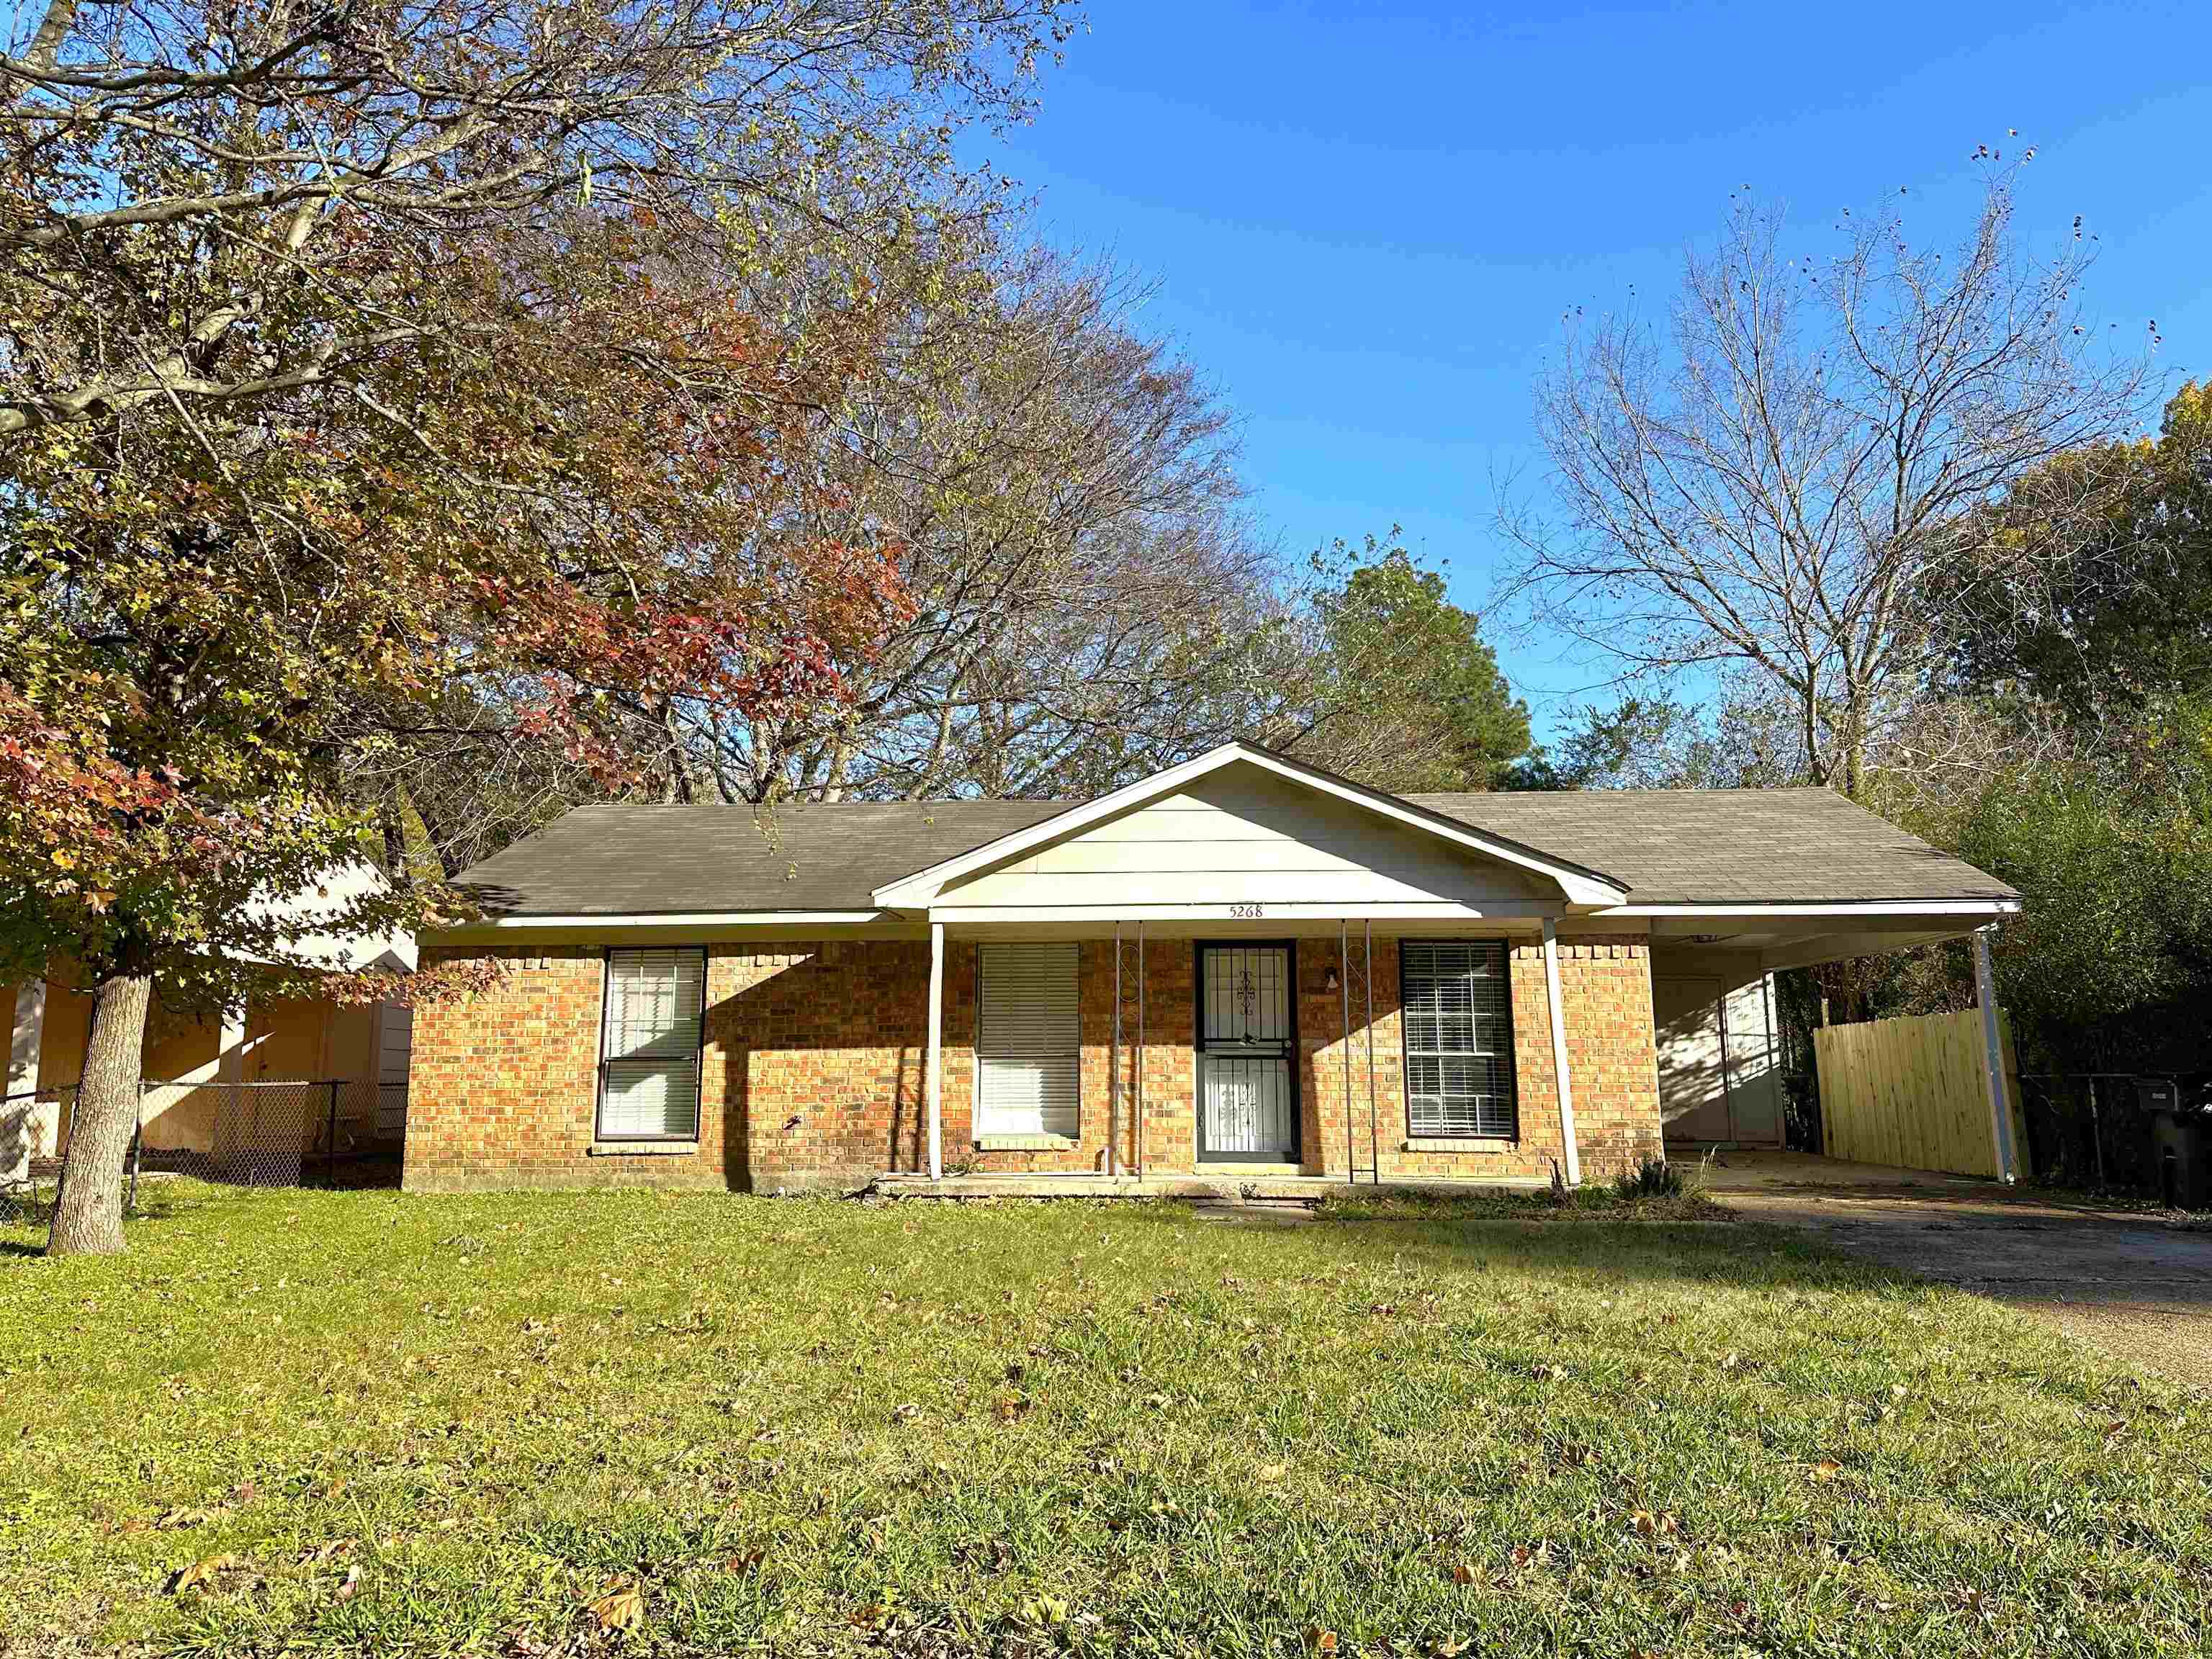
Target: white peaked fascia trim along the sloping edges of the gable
1585, 888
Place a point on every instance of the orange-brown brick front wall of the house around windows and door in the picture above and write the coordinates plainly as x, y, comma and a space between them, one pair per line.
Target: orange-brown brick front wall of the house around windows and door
813, 1070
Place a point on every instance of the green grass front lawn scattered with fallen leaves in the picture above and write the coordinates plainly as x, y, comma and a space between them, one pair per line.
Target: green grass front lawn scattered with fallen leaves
510, 1426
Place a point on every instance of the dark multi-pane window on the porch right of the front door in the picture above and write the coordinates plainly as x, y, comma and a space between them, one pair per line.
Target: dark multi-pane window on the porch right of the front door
1459, 1039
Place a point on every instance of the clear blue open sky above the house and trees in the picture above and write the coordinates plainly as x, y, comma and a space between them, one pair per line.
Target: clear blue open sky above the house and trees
1366, 222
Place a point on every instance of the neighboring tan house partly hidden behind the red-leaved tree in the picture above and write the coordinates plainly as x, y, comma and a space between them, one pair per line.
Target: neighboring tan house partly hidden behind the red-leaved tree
202, 1067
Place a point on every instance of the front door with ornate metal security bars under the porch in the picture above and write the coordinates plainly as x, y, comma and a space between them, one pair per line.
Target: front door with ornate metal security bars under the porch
1249, 1041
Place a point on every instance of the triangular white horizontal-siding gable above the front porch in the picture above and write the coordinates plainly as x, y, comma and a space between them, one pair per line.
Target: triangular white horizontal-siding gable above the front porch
1242, 837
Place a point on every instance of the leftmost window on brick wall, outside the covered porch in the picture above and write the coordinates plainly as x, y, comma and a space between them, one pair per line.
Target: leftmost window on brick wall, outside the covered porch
649, 1047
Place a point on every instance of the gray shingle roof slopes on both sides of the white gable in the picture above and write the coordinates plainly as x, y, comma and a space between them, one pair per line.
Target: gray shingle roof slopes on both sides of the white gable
1669, 846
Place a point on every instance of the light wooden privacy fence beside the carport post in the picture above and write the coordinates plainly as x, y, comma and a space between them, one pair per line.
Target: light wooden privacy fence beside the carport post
1914, 1094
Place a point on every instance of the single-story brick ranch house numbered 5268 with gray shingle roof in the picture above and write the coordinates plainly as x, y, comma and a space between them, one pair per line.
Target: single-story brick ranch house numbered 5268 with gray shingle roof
1238, 970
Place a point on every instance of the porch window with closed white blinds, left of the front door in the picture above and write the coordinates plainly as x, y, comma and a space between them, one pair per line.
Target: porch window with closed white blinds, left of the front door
1027, 1041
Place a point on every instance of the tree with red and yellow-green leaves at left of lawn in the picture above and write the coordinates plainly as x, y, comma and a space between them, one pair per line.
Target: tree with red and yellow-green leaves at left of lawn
364, 359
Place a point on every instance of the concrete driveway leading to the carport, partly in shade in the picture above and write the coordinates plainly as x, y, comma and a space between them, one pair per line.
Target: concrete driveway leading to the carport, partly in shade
2131, 1282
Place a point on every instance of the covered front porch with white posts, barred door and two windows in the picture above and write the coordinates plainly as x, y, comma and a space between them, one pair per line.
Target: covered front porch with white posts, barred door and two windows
1220, 1056
